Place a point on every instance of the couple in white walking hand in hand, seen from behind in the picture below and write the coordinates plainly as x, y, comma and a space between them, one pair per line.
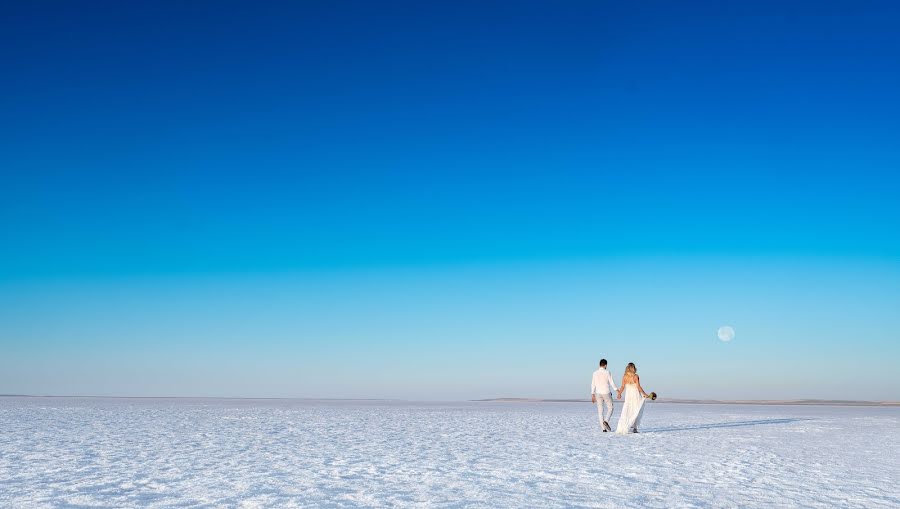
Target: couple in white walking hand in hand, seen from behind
634, 398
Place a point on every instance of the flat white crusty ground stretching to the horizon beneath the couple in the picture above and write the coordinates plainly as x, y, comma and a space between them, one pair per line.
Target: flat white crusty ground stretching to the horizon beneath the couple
59, 452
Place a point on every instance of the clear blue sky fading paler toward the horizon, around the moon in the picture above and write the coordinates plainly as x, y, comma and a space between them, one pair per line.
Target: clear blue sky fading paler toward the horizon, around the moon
449, 200
